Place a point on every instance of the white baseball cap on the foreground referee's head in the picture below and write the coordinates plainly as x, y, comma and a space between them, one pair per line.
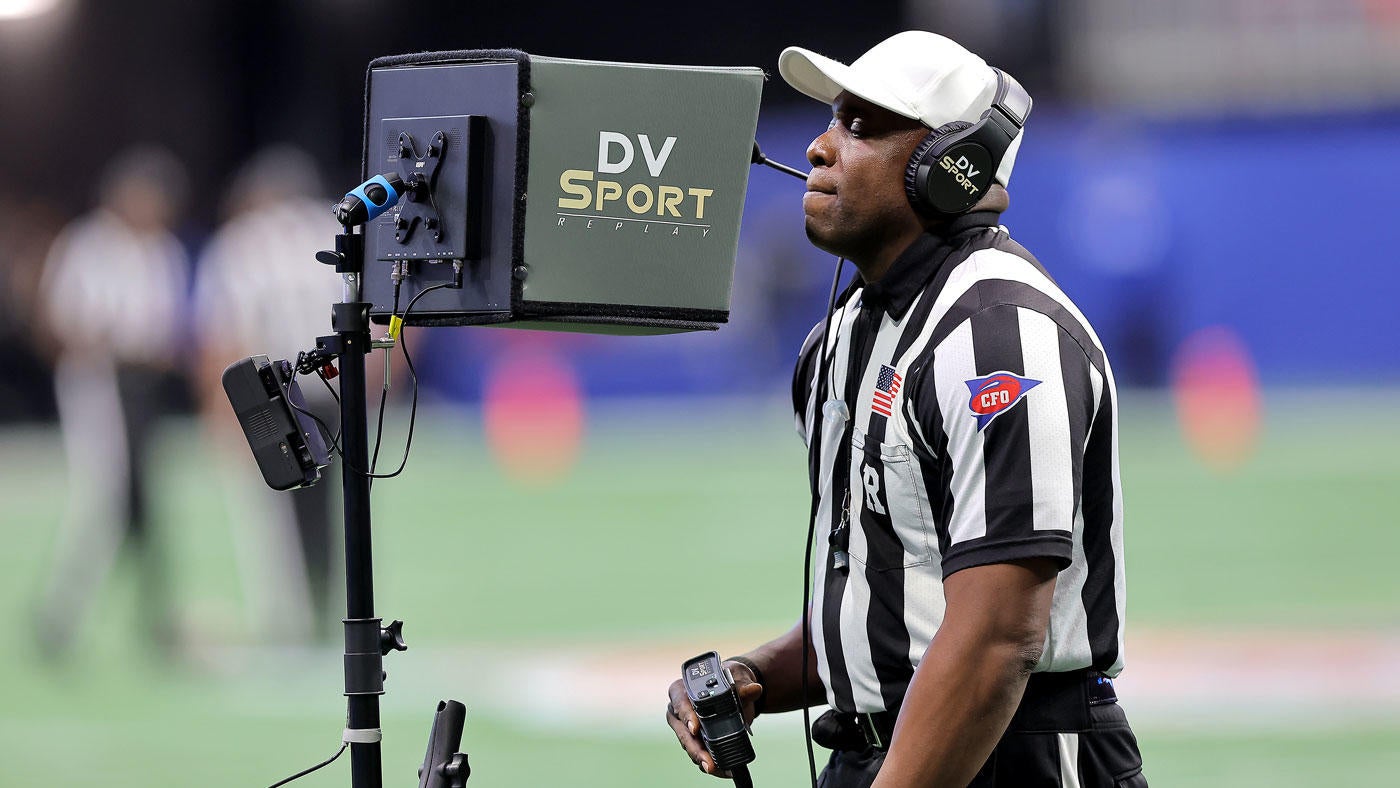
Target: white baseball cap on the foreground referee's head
919, 75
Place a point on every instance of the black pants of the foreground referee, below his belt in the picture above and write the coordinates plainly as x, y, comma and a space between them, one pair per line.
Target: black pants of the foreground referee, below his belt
1058, 740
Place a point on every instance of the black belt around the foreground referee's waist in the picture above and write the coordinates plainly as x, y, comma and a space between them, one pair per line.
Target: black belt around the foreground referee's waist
1052, 702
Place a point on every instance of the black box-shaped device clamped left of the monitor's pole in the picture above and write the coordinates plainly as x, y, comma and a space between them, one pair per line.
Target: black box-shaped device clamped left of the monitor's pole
286, 443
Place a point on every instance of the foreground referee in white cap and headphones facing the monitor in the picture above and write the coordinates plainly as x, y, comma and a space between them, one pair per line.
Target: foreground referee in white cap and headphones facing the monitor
962, 429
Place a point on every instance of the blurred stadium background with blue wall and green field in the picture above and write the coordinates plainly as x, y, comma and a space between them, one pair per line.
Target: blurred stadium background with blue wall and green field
1213, 183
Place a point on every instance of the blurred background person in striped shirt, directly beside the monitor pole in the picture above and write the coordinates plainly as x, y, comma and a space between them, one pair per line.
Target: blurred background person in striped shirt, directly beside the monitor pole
260, 290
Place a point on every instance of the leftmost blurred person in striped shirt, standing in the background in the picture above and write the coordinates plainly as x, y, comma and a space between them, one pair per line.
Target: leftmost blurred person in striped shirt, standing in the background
113, 297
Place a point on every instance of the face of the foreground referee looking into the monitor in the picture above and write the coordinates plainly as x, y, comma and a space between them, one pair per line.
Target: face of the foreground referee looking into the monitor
856, 204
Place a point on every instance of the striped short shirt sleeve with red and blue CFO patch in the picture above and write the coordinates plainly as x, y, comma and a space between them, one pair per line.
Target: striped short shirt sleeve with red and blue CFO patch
1004, 407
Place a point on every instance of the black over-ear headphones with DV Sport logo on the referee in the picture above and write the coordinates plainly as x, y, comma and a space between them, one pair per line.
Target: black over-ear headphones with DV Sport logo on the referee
955, 164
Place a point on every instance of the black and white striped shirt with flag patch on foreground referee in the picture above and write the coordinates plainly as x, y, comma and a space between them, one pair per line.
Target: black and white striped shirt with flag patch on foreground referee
969, 419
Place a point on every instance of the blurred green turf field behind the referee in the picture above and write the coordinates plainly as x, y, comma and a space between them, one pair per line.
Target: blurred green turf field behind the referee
513, 593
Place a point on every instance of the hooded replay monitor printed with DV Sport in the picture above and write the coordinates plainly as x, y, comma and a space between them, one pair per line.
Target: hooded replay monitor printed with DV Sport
575, 195
